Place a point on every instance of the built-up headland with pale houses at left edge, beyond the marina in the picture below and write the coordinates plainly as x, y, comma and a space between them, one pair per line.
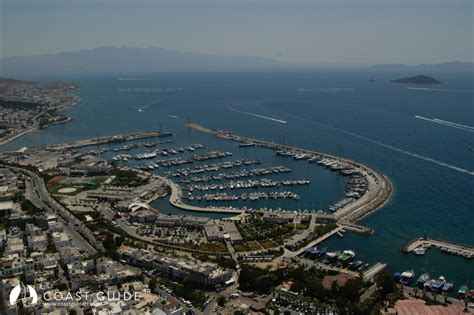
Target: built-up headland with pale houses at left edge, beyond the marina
27, 106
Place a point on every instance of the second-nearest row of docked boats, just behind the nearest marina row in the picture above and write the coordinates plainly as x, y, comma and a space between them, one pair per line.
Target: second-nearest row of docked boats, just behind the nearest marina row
262, 183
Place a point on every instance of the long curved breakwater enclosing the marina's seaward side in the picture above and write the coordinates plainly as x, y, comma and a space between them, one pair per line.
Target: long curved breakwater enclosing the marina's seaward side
378, 190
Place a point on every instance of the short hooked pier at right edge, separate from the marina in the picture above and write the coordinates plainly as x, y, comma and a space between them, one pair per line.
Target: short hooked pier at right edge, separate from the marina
448, 247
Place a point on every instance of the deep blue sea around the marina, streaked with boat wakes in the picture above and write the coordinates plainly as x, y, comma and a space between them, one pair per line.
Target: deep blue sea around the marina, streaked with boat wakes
430, 164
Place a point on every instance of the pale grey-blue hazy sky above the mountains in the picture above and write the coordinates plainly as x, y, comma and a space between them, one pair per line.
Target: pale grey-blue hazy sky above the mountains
371, 32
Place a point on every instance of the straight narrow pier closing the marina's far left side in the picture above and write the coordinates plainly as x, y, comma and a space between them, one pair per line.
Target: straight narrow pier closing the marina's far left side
107, 140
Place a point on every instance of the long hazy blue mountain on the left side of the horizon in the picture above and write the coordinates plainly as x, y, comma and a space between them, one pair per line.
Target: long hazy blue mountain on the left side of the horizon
128, 60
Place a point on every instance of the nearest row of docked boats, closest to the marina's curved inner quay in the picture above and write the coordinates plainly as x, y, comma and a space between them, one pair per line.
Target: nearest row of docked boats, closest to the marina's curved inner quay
251, 196
